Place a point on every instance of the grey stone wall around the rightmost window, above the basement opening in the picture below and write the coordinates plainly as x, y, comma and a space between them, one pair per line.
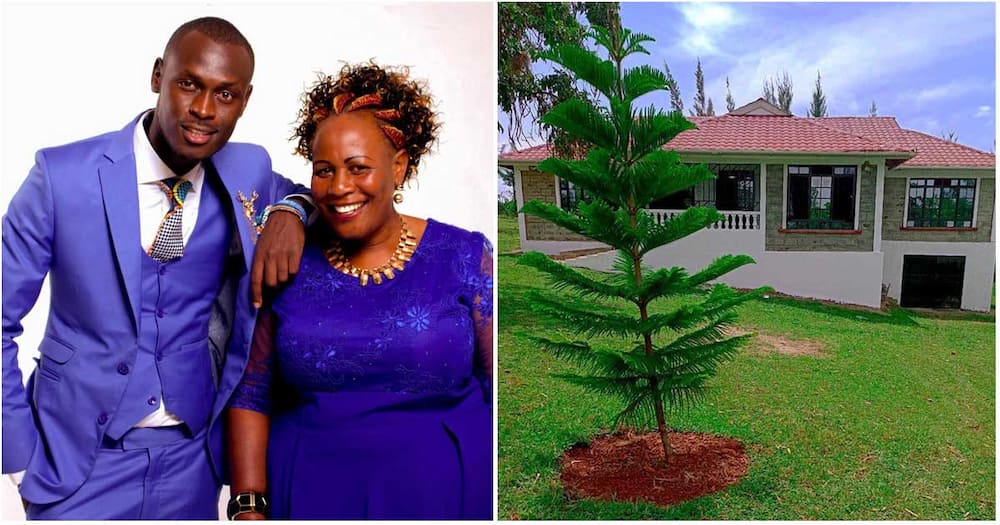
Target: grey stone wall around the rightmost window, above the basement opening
894, 209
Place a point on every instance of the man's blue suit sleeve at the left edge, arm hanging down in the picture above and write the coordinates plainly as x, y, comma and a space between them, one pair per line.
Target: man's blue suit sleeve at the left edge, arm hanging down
28, 231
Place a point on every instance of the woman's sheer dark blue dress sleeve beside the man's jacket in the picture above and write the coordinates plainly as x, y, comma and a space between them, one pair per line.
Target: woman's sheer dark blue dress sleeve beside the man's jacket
255, 389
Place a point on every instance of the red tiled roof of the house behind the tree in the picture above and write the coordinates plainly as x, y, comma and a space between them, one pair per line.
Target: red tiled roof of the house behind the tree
778, 134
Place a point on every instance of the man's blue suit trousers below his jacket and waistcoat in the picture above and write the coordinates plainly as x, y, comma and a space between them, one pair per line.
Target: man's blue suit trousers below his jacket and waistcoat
150, 473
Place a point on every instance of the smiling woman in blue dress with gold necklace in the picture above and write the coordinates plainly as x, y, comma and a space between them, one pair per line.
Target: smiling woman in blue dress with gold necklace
367, 391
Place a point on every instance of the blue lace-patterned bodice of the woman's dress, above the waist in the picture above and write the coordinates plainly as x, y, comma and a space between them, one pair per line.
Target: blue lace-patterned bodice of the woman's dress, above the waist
426, 331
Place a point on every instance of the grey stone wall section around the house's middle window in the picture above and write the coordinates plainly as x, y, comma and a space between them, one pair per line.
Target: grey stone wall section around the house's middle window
775, 240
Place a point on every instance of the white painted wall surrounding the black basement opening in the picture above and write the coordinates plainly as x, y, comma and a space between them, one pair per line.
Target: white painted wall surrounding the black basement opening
979, 266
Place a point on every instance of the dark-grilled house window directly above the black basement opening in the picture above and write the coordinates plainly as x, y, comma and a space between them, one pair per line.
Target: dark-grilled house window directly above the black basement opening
941, 203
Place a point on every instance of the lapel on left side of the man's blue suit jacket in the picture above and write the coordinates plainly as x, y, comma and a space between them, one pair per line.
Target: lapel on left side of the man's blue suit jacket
121, 208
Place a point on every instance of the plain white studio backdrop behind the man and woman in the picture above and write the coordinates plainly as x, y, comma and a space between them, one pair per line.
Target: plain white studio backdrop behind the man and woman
75, 70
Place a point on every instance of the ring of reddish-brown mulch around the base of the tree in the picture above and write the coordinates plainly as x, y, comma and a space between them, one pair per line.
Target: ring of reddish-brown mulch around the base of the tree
629, 467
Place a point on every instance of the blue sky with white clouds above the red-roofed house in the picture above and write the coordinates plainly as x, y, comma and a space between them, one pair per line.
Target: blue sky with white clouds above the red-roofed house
930, 65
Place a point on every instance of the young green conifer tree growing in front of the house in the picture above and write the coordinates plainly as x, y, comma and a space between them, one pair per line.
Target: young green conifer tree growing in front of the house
664, 360
